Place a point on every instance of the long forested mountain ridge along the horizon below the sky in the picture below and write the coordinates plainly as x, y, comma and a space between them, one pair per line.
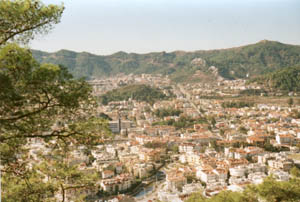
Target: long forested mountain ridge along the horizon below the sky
252, 60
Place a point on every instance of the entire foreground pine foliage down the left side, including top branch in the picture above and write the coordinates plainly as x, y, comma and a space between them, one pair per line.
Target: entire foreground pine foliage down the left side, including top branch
41, 104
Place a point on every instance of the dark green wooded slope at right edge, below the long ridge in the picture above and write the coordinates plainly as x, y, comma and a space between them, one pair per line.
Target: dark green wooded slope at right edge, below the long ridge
287, 79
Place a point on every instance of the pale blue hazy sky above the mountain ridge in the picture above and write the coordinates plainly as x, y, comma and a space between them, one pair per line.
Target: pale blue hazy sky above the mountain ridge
104, 27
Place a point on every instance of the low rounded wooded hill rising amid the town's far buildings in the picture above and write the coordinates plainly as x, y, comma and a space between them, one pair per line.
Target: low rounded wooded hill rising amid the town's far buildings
139, 92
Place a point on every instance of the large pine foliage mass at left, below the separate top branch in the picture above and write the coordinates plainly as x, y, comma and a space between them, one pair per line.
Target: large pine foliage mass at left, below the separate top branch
34, 98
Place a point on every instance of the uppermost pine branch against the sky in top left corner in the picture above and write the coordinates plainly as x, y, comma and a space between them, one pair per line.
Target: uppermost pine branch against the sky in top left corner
21, 20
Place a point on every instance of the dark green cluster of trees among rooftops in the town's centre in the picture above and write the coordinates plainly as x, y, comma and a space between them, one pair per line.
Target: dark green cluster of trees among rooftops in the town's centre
183, 122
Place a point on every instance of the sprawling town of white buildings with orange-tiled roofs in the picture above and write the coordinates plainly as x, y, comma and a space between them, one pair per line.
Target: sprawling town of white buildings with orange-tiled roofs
218, 145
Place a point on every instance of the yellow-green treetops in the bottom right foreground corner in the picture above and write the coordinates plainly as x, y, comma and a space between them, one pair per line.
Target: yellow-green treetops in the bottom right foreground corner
270, 190
